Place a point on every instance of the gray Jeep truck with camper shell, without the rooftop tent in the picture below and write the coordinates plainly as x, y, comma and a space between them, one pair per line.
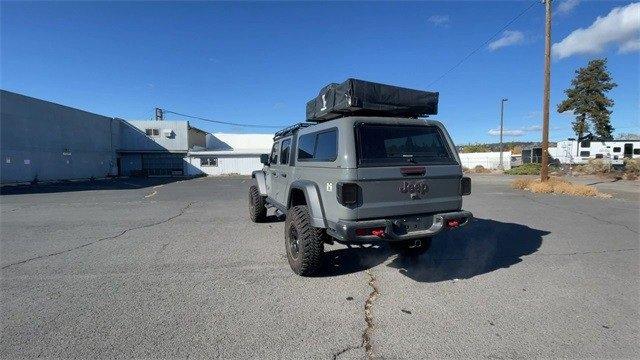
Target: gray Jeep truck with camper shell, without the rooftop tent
360, 180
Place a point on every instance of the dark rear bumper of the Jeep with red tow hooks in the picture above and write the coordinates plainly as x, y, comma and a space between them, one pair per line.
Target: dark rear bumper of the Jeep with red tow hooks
396, 229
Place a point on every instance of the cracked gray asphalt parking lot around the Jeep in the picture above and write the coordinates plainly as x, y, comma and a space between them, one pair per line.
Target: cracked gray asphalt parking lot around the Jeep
157, 268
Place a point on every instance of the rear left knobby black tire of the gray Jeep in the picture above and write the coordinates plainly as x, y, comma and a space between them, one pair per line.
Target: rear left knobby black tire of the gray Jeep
303, 242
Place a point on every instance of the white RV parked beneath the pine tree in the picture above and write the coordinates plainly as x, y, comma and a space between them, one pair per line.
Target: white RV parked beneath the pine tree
580, 151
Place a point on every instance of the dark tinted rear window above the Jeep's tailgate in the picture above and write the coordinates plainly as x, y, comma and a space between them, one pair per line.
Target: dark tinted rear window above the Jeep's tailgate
380, 145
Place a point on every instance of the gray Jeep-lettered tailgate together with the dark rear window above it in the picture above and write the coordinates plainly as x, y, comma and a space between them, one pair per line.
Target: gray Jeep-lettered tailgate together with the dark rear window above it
405, 170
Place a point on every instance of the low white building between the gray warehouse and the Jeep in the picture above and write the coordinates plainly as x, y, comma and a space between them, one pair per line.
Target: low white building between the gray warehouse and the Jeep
230, 154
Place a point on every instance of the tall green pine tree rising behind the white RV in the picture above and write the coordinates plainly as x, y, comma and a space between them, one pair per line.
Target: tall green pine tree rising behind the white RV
587, 98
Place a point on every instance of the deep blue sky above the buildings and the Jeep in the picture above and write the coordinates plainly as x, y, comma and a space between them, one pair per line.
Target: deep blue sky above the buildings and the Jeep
260, 62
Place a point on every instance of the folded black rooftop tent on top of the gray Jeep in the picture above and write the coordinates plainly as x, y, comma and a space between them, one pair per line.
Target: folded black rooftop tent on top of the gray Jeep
359, 97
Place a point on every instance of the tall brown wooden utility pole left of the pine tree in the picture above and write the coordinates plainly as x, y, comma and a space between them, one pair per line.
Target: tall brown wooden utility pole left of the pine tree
544, 169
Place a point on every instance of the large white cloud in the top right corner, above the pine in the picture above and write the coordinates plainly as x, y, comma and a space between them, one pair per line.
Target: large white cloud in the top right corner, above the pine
621, 26
